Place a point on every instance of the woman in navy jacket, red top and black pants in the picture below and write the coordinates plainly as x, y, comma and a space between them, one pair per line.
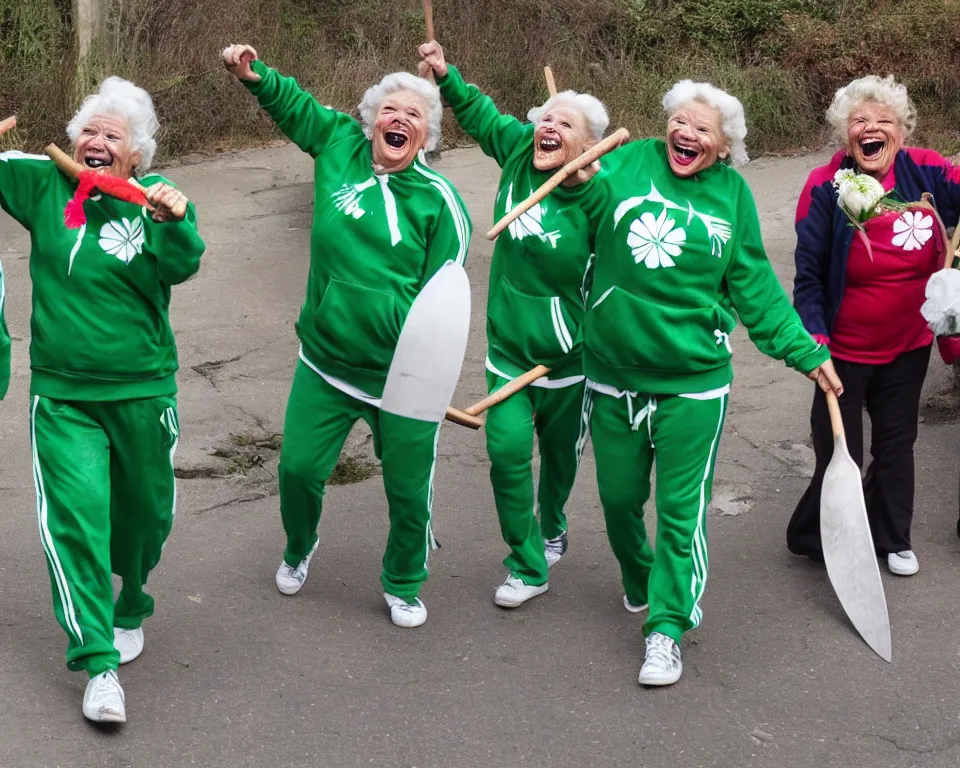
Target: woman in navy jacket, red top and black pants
860, 293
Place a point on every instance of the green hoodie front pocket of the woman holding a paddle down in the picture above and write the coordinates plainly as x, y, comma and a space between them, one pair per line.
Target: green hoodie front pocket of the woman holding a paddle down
625, 331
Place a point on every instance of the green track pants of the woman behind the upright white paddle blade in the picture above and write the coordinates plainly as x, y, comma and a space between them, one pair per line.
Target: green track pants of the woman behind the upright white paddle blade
318, 420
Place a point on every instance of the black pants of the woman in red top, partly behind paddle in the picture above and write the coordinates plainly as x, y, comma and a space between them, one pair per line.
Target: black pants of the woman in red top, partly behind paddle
892, 396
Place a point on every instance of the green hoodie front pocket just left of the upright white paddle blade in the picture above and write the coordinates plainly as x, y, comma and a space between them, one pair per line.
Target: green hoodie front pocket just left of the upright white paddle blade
358, 326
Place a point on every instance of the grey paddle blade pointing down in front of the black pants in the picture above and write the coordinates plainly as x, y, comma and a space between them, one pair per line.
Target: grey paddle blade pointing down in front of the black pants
848, 551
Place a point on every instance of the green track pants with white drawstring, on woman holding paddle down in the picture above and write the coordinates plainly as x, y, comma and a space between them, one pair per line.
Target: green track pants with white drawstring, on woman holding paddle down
683, 434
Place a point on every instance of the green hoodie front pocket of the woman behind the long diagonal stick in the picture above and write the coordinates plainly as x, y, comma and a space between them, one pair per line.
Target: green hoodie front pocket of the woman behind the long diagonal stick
535, 329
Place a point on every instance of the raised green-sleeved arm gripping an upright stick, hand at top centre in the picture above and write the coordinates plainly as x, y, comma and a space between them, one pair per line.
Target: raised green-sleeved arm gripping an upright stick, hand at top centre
496, 133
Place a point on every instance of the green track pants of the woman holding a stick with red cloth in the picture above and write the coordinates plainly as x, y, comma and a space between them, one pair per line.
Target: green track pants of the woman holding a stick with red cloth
103, 472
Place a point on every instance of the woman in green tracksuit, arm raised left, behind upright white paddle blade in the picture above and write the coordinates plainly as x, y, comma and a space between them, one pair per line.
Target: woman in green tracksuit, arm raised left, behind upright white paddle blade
383, 224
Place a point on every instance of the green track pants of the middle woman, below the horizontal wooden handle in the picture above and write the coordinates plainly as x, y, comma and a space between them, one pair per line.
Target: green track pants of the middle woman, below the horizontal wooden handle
555, 416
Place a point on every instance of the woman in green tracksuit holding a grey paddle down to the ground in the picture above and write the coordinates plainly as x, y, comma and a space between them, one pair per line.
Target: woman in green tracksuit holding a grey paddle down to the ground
679, 257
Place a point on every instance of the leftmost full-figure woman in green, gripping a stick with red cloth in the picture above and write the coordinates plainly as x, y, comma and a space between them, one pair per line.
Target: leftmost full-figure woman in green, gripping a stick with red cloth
103, 410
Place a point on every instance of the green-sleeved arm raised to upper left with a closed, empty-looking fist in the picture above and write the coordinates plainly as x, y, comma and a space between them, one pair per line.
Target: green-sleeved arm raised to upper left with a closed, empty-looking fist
303, 120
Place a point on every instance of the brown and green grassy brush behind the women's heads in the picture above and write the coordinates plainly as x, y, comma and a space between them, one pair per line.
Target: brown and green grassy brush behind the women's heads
782, 58
